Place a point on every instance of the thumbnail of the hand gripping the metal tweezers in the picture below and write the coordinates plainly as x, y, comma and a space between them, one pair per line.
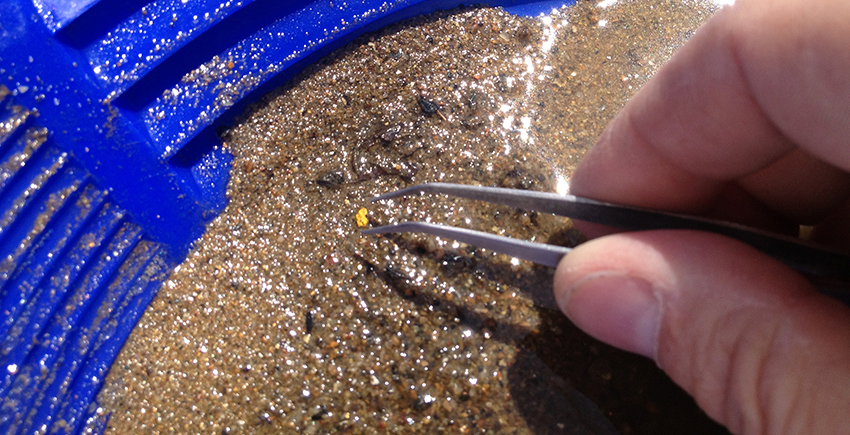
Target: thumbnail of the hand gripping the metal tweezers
620, 310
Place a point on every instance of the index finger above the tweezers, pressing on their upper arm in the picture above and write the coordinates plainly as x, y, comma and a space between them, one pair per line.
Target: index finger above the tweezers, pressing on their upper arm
759, 82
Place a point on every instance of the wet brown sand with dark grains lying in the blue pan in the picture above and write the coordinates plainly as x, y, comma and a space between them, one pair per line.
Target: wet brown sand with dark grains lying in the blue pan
285, 319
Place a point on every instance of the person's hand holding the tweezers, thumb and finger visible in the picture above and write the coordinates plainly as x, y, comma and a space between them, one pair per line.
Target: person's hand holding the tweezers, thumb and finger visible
750, 121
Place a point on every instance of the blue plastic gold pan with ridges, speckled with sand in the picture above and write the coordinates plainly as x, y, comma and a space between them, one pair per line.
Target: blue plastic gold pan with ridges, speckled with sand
110, 165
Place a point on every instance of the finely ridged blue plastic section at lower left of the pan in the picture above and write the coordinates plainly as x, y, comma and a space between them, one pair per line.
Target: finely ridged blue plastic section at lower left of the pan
75, 276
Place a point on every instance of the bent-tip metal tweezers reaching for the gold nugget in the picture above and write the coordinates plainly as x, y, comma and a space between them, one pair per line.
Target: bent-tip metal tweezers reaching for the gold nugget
805, 257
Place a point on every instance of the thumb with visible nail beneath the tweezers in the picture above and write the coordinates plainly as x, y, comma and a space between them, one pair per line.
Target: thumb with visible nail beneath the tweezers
757, 347
